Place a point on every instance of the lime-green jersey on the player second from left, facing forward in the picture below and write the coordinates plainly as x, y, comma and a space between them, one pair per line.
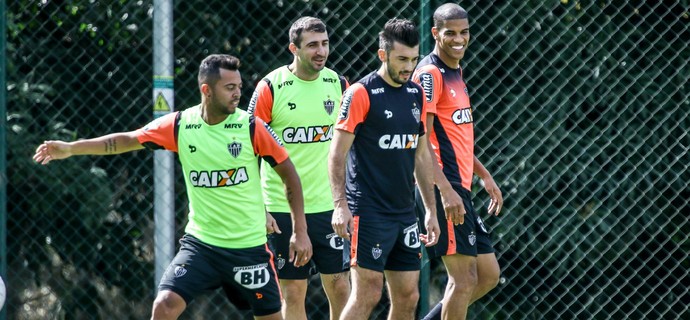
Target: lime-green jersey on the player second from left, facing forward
302, 113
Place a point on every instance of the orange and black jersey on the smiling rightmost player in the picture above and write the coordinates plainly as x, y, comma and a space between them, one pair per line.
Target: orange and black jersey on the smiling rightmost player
453, 136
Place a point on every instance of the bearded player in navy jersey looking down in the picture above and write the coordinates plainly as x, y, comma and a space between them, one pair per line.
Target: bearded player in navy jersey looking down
380, 130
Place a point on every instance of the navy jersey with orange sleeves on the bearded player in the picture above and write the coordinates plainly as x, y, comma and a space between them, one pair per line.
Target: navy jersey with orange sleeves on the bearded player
388, 123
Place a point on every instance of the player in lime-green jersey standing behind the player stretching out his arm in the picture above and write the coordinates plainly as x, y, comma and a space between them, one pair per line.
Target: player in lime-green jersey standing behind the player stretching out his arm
299, 102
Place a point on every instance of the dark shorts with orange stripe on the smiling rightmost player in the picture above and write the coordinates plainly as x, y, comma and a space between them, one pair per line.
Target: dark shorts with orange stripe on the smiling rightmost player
470, 238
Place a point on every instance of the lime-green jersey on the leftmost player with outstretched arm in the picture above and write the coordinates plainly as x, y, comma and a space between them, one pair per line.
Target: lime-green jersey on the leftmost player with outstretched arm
221, 172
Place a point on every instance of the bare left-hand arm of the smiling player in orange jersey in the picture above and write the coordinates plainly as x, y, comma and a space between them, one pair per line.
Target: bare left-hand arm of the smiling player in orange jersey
452, 203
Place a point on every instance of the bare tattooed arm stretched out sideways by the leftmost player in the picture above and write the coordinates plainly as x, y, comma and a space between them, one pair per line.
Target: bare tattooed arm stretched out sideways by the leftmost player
114, 143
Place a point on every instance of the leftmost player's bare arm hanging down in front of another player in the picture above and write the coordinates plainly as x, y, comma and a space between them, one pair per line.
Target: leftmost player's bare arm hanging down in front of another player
300, 245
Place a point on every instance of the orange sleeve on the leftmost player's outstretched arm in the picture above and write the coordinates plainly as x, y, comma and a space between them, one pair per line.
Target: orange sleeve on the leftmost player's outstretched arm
160, 133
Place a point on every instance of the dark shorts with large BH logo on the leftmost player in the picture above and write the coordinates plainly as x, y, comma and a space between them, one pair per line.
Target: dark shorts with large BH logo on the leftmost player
247, 276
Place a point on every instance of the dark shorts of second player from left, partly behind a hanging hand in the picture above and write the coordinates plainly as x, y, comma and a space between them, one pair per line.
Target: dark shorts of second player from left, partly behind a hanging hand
327, 247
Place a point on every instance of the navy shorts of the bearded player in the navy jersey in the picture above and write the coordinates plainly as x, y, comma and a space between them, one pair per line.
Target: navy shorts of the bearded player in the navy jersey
386, 242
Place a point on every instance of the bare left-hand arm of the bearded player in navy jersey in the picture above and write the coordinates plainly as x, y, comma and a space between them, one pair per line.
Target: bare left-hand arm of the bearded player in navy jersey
342, 217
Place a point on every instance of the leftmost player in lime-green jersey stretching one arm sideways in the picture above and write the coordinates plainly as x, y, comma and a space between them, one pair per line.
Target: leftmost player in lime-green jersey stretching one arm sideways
225, 239
